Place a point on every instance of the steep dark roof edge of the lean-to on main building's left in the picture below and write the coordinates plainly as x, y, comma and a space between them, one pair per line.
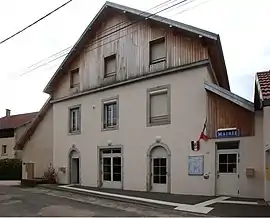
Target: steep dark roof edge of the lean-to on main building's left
32, 128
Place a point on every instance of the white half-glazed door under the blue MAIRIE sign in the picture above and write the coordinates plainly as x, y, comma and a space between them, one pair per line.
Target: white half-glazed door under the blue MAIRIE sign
227, 172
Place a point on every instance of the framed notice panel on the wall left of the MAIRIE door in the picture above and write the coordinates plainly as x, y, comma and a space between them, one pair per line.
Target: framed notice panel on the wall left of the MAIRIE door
195, 165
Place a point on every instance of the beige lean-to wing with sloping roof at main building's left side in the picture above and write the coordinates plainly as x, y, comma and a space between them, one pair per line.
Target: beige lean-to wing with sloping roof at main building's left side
36, 144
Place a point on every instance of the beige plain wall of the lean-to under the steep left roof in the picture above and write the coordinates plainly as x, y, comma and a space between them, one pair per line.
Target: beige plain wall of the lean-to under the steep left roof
39, 149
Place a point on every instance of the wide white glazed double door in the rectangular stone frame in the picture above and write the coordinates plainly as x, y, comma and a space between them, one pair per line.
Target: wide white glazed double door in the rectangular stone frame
111, 168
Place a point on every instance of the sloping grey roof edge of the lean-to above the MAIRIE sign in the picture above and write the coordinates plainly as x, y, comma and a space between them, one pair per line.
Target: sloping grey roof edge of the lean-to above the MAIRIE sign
229, 96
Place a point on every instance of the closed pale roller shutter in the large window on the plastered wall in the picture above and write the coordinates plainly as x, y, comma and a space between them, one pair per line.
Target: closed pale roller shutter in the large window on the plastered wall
159, 104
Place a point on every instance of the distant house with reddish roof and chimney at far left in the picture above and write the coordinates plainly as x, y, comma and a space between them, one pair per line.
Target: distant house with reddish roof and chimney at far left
11, 129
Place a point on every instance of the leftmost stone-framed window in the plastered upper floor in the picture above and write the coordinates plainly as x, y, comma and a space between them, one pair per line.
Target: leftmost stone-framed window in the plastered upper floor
75, 119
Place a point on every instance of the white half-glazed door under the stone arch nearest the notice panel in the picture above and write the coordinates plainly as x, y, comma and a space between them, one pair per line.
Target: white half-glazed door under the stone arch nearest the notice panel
159, 174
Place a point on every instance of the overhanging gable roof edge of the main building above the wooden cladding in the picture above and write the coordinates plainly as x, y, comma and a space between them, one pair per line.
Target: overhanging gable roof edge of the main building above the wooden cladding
211, 38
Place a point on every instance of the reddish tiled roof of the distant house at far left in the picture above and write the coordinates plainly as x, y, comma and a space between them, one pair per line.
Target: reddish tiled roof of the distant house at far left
15, 121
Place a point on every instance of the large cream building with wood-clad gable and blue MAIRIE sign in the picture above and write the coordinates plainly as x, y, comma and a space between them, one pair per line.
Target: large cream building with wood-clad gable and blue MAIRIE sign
143, 103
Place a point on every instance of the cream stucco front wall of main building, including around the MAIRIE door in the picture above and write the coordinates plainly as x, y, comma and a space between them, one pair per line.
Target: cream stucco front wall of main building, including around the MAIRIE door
188, 113
